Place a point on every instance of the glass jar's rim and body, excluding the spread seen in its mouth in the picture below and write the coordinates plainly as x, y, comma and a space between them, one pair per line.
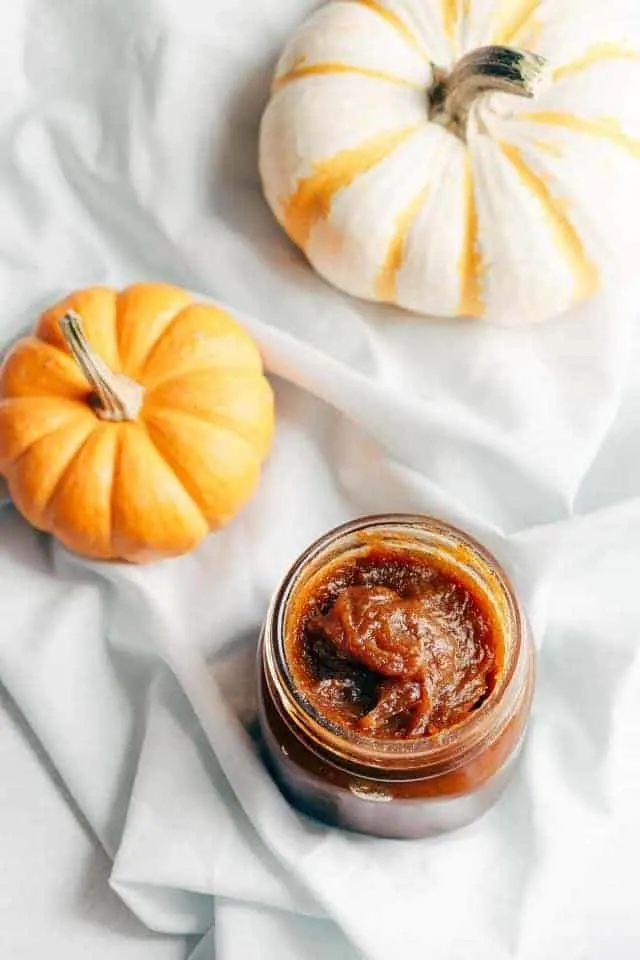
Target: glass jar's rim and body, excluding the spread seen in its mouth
390, 787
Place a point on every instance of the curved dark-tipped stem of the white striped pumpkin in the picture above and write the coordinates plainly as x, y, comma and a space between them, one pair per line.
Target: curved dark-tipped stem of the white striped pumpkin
486, 70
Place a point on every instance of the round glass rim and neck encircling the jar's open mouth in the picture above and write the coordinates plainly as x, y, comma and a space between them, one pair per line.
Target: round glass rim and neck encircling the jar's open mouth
442, 750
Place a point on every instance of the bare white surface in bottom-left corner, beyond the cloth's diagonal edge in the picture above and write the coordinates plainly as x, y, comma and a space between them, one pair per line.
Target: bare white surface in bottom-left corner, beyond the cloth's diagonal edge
54, 898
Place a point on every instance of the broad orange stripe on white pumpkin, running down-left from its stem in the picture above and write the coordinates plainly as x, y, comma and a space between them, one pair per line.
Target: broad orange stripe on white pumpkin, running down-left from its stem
311, 201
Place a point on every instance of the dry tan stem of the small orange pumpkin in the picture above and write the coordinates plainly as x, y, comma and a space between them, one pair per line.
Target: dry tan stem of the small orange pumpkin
117, 396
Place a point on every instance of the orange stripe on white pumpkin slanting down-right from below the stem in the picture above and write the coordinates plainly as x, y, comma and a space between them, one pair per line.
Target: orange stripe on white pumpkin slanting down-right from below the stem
565, 234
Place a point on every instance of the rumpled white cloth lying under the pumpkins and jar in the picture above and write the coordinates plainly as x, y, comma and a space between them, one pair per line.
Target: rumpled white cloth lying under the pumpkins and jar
128, 135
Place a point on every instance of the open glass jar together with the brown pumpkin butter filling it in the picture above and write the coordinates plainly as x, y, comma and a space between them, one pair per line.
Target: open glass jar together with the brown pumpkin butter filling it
396, 673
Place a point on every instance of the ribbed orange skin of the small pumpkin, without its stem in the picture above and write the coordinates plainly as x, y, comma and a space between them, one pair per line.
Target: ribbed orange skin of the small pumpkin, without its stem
155, 487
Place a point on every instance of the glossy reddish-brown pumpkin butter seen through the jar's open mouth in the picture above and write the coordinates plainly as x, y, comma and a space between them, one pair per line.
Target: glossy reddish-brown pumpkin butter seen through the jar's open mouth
390, 644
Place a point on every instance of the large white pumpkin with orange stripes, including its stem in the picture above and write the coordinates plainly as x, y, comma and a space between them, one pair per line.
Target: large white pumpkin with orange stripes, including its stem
460, 157
